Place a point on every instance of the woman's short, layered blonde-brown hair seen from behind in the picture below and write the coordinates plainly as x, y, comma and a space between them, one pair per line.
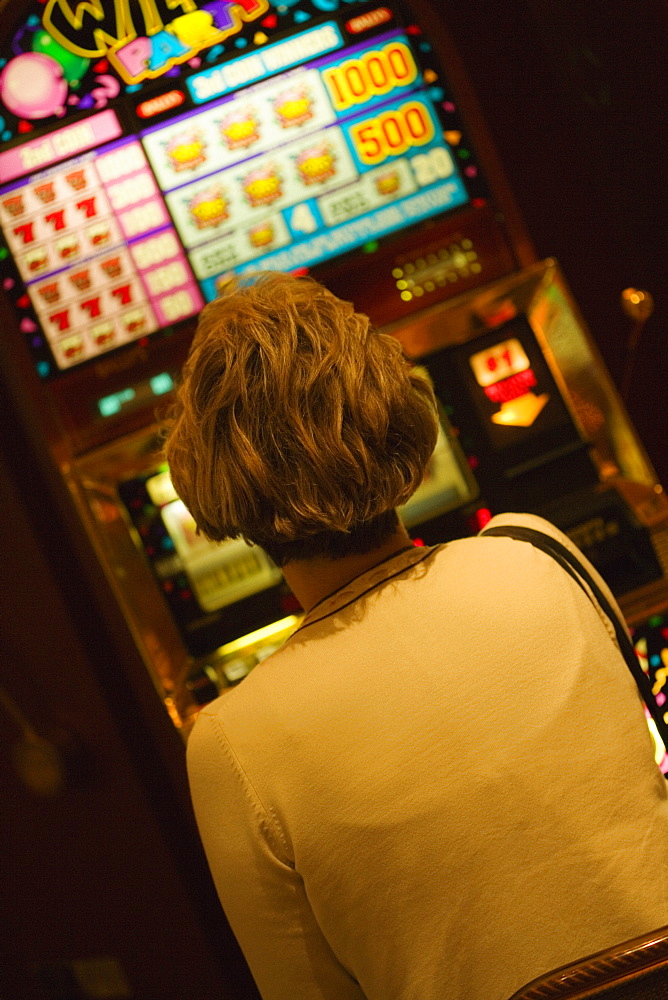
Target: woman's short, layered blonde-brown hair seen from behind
294, 419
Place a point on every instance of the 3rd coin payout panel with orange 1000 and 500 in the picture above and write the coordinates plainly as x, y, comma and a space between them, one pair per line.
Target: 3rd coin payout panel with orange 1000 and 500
300, 167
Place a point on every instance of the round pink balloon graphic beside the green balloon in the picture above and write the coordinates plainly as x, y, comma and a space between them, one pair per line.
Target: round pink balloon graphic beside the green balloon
33, 86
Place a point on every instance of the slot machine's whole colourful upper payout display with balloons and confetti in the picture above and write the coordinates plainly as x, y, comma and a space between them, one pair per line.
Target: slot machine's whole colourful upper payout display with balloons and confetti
146, 158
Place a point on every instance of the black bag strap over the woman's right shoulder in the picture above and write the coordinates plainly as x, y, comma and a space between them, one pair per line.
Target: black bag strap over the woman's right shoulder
572, 565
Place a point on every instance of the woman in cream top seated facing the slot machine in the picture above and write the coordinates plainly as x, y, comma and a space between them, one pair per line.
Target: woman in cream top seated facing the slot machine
442, 785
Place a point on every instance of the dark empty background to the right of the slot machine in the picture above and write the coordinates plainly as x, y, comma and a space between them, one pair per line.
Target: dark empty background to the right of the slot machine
574, 96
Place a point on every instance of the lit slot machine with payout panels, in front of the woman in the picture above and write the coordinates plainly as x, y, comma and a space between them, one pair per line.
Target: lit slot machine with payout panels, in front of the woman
152, 151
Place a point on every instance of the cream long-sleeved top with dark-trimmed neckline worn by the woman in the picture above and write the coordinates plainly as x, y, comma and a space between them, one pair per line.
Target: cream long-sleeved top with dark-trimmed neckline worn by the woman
441, 787
